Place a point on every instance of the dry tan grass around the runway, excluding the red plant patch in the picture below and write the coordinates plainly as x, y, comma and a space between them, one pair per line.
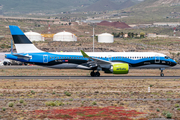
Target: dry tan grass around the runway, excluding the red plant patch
130, 93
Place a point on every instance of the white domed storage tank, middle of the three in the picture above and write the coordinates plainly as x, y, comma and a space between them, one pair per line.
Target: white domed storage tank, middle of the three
64, 36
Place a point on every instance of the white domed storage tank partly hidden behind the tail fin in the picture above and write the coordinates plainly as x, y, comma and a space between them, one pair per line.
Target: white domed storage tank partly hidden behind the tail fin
33, 36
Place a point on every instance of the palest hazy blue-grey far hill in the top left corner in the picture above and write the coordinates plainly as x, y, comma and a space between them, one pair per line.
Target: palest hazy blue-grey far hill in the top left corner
42, 6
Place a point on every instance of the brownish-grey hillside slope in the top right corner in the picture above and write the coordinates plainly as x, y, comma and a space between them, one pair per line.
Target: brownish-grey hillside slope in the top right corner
150, 11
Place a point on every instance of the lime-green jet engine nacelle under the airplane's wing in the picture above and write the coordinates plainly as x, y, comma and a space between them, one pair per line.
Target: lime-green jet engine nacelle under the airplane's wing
120, 68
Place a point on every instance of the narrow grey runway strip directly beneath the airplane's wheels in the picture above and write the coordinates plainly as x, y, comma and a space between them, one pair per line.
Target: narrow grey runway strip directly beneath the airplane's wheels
89, 77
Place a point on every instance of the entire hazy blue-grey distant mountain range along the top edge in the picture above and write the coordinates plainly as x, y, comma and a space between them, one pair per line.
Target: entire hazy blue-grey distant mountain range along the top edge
13, 7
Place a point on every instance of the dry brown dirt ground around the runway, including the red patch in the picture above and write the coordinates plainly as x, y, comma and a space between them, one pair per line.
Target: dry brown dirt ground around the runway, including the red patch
125, 99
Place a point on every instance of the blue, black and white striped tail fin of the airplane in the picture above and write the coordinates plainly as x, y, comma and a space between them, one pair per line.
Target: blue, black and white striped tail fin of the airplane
22, 43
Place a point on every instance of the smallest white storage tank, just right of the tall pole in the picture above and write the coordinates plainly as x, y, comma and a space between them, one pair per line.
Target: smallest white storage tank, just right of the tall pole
105, 38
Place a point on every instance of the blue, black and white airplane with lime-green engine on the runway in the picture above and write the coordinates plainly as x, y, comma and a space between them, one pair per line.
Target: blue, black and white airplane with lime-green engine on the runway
109, 62
